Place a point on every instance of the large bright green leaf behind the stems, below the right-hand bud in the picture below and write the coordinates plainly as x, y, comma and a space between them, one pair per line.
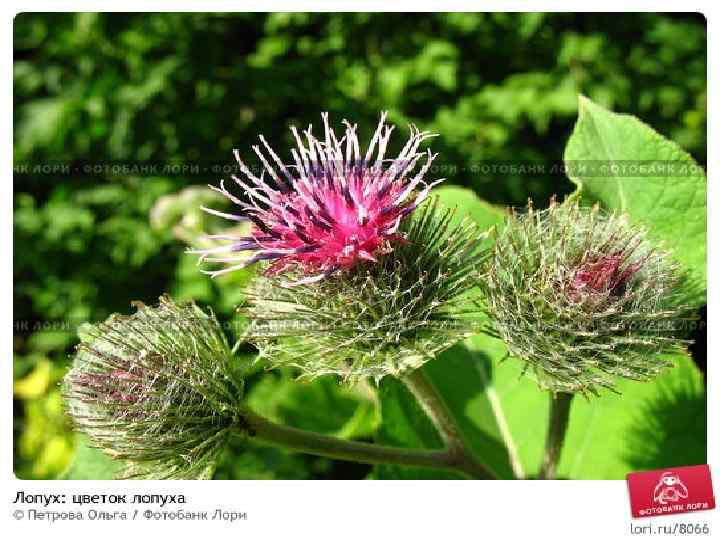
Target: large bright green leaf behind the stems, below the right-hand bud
648, 425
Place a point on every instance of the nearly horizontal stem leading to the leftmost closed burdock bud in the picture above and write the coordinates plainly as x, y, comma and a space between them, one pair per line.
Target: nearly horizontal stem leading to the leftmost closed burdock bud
318, 444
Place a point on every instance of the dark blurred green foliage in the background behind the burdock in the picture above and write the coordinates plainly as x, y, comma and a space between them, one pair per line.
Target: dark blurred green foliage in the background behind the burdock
172, 87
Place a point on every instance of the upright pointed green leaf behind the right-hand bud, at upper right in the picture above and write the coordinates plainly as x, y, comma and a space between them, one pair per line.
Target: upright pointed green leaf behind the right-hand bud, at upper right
671, 204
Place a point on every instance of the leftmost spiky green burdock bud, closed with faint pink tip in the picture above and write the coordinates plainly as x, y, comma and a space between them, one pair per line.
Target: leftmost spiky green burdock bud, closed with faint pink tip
156, 390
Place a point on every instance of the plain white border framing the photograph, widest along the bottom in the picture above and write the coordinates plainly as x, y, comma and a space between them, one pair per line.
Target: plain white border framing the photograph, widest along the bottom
347, 509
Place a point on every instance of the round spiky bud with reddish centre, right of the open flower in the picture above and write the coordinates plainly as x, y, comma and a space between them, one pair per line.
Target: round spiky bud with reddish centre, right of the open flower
581, 296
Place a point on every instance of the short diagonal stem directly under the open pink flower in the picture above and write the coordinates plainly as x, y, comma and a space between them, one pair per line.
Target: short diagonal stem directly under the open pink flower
445, 422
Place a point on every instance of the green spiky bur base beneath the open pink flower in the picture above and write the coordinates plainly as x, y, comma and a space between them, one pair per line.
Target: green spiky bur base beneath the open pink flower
380, 318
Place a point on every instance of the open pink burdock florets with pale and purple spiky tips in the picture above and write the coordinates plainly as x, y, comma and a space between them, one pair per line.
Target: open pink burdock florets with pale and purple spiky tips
330, 209
